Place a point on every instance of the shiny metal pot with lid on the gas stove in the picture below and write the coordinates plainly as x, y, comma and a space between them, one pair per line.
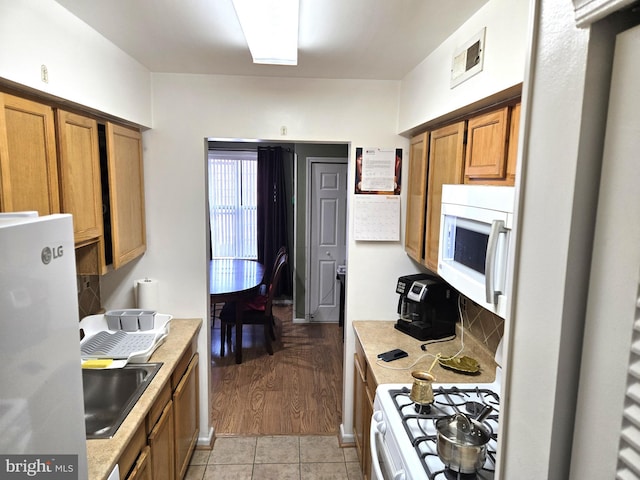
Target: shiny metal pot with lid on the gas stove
462, 441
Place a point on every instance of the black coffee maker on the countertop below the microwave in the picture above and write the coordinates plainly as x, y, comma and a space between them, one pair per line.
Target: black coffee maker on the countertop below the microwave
427, 307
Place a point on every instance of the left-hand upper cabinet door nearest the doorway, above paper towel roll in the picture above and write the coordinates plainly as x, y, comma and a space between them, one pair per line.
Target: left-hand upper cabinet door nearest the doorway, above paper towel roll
126, 193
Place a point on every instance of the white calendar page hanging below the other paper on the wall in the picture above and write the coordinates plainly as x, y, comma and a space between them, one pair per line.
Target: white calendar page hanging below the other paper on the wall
377, 217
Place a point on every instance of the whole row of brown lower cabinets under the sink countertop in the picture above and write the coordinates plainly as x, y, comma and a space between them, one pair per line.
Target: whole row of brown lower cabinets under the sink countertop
163, 445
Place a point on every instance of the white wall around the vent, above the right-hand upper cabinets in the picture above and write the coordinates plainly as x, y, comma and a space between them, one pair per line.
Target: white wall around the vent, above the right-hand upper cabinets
426, 93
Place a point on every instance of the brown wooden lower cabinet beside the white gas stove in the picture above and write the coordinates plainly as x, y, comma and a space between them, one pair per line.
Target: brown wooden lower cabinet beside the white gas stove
364, 393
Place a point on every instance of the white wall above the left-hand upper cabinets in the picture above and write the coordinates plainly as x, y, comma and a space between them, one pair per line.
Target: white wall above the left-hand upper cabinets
83, 66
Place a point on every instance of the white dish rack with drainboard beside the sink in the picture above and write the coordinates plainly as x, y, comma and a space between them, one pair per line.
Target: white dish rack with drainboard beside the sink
123, 346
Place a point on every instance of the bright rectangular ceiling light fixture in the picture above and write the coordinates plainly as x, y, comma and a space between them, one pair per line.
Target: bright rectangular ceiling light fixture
271, 29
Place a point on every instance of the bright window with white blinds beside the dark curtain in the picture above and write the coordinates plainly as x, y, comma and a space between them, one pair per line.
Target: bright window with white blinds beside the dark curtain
233, 204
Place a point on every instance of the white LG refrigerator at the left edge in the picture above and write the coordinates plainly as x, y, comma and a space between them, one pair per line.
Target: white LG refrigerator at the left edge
41, 401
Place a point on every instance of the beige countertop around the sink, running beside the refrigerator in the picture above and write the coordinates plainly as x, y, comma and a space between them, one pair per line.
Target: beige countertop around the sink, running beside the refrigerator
103, 454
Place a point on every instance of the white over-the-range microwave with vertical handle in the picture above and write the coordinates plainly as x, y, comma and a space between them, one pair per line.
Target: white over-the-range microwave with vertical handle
475, 230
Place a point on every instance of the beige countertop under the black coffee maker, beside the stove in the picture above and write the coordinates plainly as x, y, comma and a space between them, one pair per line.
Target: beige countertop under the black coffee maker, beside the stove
380, 336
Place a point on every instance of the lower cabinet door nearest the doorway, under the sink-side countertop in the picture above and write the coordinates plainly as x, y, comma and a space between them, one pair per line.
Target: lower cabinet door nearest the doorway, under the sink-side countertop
185, 401
